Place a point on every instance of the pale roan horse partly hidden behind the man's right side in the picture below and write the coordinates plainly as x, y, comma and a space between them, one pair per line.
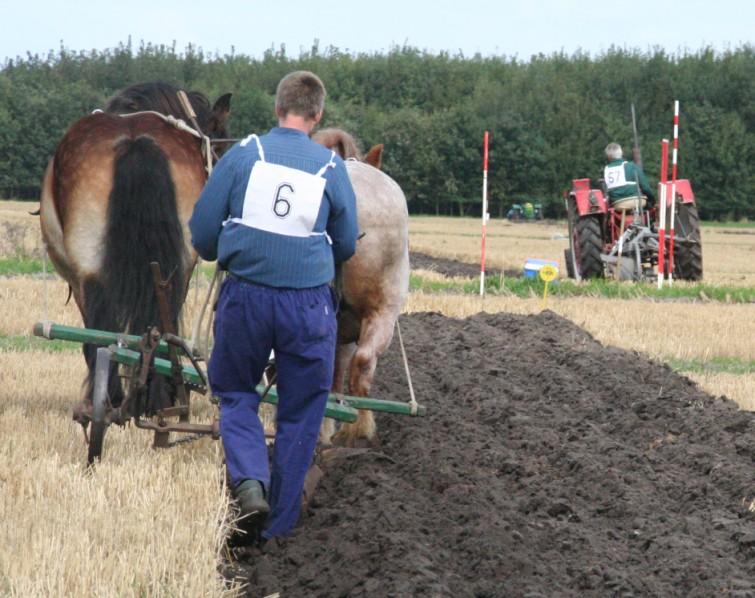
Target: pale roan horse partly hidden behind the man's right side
374, 283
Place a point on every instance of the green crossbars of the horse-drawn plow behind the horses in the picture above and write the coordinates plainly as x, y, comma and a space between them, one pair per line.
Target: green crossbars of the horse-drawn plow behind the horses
341, 407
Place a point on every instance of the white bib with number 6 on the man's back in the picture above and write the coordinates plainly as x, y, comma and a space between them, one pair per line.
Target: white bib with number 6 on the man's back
282, 200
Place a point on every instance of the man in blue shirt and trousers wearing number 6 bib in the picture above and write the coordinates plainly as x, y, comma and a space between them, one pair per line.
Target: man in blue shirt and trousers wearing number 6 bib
278, 213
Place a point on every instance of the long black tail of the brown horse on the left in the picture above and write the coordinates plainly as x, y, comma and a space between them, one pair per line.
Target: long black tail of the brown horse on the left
142, 226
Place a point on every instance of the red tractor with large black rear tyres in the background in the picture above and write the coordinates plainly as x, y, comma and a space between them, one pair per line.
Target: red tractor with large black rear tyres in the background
624, 244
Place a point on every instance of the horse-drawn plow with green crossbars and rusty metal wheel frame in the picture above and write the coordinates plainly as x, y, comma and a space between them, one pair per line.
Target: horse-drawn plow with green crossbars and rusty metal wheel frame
163, 355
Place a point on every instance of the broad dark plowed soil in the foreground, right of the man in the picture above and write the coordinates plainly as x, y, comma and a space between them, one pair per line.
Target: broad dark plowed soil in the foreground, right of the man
547, 465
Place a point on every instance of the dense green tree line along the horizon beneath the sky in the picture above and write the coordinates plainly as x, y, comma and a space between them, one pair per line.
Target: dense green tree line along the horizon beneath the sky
549, 117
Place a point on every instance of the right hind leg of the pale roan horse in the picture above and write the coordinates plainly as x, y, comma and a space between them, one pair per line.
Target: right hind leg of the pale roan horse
375, 336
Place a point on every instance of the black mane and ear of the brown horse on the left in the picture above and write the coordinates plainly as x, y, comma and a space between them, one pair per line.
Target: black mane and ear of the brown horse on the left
160, 97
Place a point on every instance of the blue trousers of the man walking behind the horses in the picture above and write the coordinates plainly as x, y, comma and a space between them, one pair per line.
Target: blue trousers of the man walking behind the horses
300, 325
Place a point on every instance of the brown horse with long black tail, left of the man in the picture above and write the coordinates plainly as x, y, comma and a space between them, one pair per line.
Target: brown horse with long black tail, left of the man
117, 195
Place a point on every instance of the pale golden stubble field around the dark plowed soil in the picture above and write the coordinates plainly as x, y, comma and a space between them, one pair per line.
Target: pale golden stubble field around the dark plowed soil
148, 523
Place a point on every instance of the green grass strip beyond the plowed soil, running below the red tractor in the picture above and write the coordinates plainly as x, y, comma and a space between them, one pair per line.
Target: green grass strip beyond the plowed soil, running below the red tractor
610, 289
